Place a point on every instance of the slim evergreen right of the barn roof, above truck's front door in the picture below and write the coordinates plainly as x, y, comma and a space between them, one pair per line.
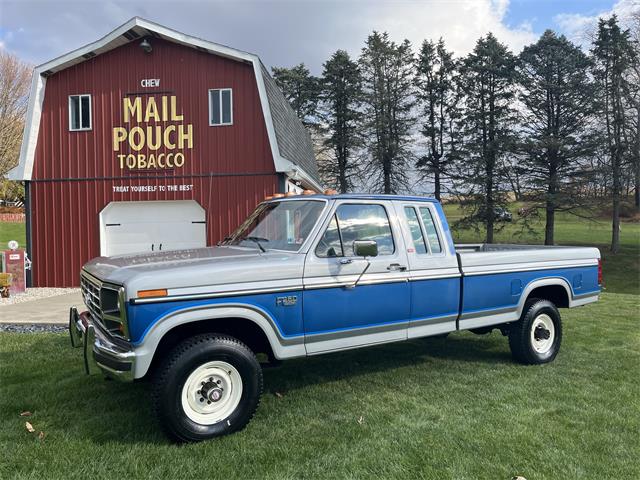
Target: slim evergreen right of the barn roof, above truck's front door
340, 101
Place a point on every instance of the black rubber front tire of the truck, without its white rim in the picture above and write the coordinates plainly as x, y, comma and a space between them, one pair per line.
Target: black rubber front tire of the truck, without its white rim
175, 369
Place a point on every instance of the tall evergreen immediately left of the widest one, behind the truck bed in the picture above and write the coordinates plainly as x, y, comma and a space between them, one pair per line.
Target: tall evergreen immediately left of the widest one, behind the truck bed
487, 85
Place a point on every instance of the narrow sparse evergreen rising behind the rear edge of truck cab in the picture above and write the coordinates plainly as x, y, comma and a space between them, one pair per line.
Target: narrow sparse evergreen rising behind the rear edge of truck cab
437, 95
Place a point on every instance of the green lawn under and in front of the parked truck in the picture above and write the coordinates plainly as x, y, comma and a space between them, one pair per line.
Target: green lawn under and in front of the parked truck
454, 408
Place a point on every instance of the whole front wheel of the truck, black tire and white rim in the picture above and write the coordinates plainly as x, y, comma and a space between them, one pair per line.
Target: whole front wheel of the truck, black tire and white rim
208, 386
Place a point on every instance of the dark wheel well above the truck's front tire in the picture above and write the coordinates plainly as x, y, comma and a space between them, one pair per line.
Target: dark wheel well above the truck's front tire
242, 329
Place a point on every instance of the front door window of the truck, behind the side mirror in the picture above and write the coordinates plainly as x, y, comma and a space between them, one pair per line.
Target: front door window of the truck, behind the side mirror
356, 222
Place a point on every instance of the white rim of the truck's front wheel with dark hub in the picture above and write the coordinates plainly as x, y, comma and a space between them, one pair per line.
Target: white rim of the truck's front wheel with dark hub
212, 392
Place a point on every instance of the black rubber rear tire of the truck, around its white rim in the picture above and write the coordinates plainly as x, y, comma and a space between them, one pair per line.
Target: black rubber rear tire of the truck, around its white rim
520, 333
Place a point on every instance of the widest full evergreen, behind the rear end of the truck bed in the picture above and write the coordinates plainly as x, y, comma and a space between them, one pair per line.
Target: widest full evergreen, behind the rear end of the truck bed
557, 95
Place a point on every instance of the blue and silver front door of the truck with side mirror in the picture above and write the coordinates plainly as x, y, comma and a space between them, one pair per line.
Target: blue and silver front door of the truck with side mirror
338, 313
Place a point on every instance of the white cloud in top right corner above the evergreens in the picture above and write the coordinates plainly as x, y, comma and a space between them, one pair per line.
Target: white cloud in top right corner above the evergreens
580, 27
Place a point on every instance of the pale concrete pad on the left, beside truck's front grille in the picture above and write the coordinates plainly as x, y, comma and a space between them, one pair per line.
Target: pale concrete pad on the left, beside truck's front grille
50, 310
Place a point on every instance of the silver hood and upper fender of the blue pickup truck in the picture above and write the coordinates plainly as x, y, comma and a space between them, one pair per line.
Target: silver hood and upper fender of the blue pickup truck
199, 271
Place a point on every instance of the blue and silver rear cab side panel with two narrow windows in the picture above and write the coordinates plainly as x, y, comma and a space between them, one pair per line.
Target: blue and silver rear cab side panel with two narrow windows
434, 277
